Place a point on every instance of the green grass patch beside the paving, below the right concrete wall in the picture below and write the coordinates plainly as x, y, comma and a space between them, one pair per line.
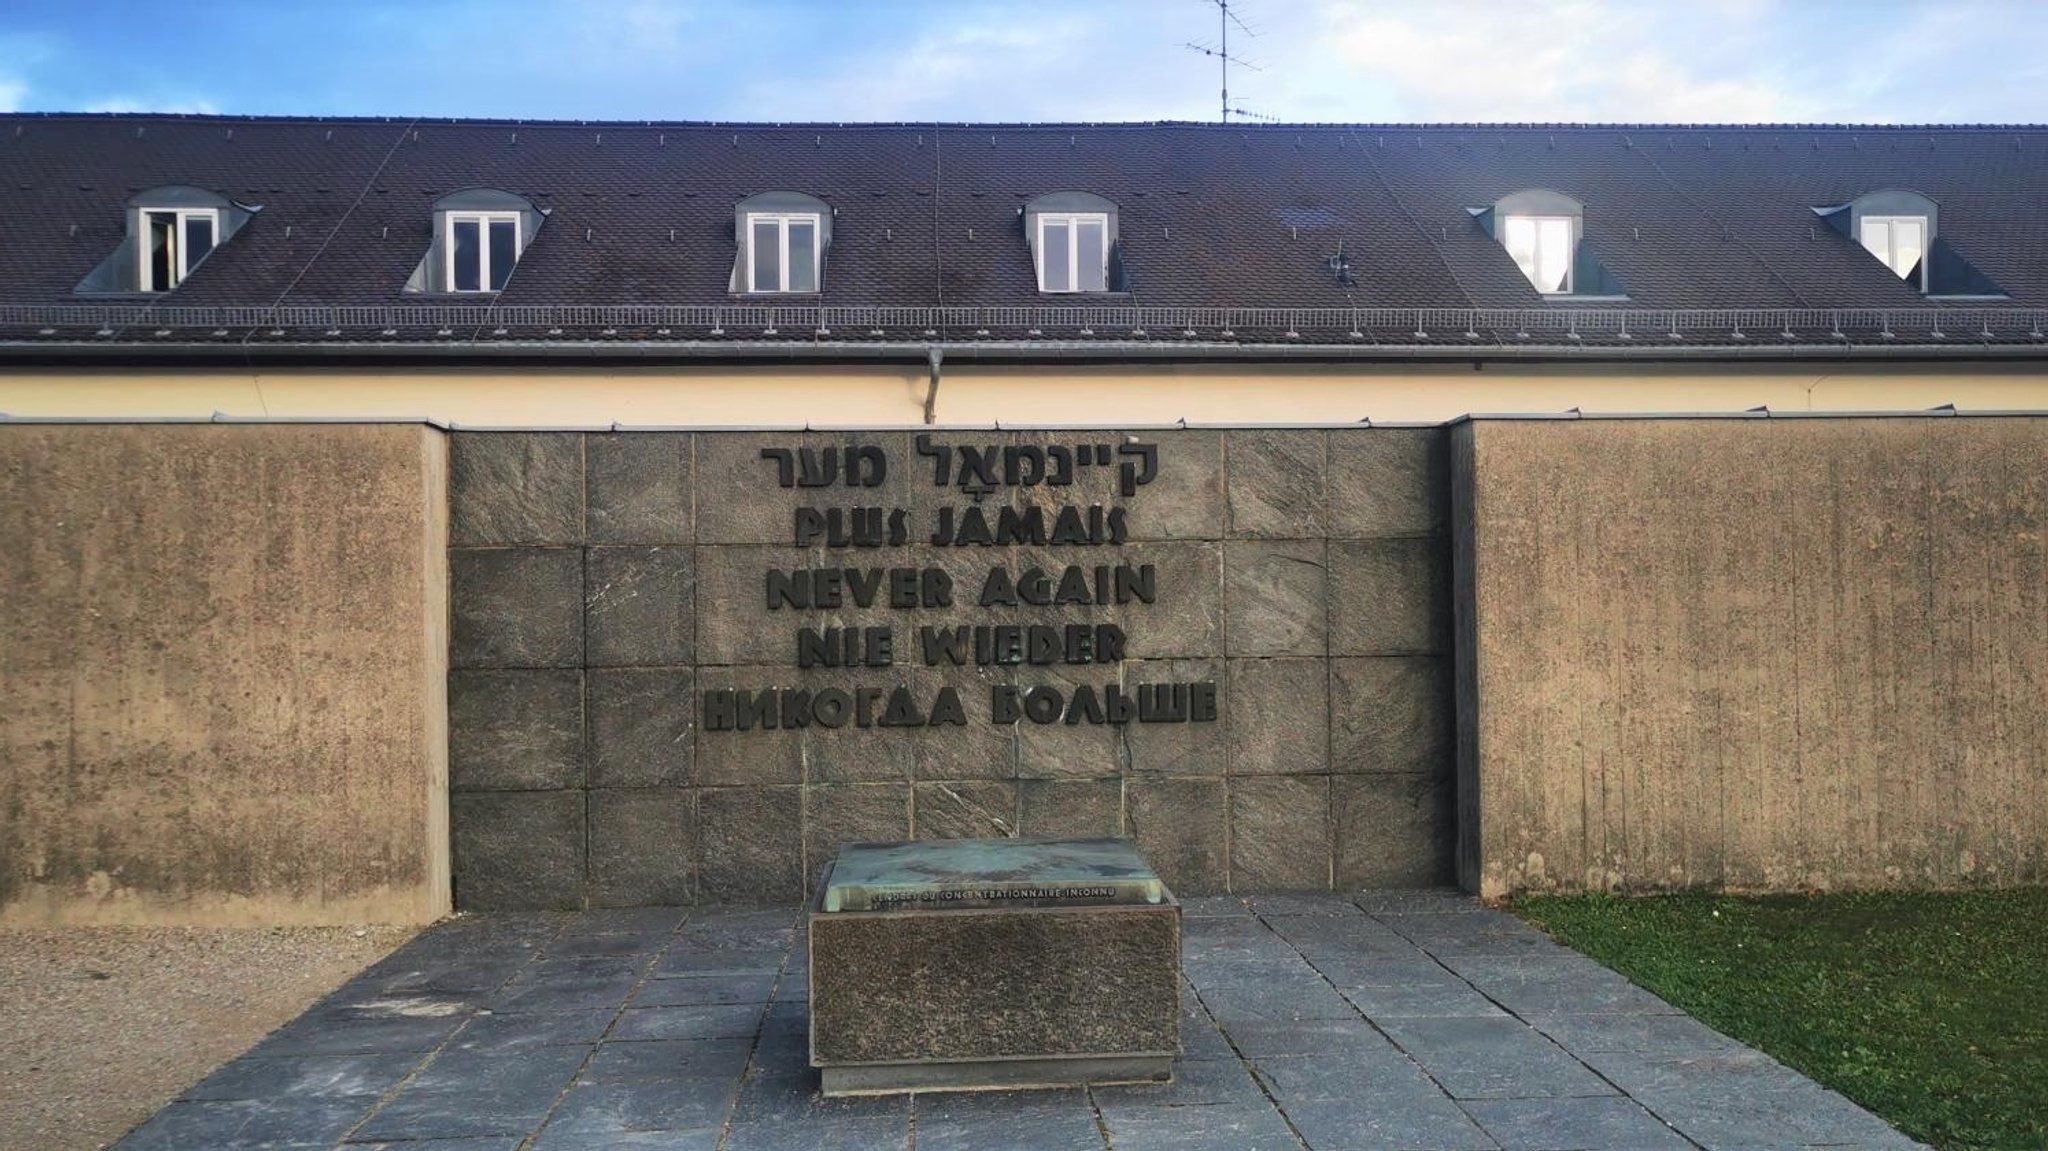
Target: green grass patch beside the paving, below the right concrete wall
1928, 1009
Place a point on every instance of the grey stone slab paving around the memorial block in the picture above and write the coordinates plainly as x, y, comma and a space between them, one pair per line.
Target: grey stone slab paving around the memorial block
1310, 1023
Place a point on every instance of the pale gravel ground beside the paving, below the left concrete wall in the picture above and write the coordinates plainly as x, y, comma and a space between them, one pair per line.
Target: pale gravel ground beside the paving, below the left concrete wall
101, 1027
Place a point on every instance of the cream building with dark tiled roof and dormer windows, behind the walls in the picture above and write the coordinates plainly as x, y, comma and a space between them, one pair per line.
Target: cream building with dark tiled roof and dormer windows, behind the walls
1218, 273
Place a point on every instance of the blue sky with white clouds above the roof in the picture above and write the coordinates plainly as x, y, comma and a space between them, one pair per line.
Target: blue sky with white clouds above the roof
1035, 60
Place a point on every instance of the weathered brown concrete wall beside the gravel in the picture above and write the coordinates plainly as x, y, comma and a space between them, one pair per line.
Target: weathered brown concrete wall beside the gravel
222, 675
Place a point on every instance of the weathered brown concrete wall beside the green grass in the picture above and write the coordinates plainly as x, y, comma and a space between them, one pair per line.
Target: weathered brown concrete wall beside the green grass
1758, 654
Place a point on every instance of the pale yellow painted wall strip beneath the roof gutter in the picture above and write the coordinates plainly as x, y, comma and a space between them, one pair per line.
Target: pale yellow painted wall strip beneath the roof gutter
980, 396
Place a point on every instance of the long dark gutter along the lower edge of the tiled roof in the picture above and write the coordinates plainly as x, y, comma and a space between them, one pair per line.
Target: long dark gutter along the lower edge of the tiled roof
327, 353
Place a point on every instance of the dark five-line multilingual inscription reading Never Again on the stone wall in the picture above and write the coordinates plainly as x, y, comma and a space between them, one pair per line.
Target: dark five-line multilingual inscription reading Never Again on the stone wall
927, 601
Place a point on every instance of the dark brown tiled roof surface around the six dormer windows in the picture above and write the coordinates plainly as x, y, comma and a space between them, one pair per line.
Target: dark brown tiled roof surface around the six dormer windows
929, 216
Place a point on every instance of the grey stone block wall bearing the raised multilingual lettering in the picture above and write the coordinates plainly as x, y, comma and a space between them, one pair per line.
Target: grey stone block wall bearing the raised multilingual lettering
609, 587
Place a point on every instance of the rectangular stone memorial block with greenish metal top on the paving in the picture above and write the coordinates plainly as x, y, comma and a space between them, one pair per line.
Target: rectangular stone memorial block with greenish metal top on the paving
992, 964
